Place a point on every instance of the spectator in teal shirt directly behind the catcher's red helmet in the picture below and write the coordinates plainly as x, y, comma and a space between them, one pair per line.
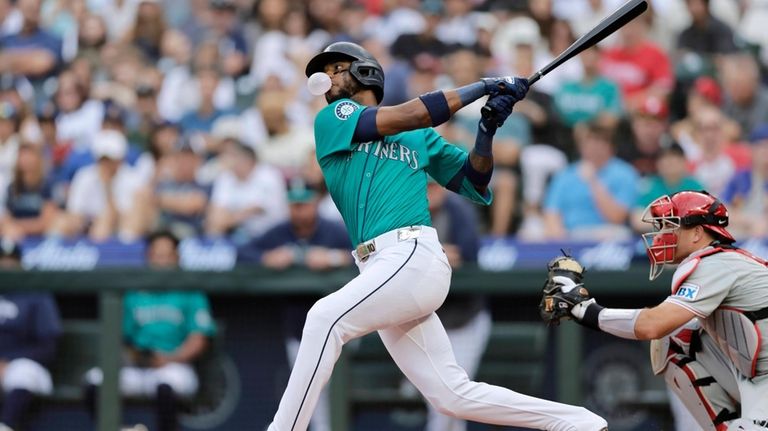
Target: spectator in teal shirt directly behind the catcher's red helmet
672, 176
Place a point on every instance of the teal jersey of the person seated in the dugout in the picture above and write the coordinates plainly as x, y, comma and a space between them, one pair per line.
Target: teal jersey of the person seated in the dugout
161, 321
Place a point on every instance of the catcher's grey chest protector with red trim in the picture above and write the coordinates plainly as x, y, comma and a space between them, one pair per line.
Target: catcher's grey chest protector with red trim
737, 335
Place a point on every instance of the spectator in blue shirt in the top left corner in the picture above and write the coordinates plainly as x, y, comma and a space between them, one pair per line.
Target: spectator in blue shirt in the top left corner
32, 52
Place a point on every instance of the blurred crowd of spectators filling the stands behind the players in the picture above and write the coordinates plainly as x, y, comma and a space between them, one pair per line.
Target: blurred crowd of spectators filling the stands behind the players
121, 117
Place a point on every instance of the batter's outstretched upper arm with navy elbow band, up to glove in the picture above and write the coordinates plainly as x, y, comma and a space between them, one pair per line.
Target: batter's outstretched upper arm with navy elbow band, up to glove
432, 109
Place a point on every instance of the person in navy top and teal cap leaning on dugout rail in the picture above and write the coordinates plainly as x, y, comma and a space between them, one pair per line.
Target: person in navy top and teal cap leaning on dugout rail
307, 240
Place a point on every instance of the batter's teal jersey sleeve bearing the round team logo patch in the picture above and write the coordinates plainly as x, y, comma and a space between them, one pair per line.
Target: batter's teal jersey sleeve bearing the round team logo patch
334, 127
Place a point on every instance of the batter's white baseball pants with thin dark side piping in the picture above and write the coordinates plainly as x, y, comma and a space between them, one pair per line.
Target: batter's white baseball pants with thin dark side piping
397, 292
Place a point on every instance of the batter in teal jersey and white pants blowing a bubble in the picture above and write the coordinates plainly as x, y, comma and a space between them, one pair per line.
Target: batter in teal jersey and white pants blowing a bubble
376, 161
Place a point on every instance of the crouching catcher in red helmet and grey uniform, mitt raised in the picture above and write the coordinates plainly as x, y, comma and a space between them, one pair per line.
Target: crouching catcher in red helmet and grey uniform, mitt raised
709, 334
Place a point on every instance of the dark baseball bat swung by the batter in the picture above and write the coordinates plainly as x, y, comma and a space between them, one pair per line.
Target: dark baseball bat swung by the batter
620, 17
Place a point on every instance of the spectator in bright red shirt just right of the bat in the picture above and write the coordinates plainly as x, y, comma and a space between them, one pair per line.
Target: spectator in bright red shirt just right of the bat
640, 67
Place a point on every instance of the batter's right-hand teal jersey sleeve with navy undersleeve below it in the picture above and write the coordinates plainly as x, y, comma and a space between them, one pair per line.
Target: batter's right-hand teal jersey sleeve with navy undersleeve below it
445, 161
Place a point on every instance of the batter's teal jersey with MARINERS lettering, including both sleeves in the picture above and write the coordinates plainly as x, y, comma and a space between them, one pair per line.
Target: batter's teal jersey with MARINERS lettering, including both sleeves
381, 185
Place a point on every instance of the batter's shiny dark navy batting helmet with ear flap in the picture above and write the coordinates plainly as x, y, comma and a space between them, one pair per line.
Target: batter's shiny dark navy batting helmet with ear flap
364, 66
